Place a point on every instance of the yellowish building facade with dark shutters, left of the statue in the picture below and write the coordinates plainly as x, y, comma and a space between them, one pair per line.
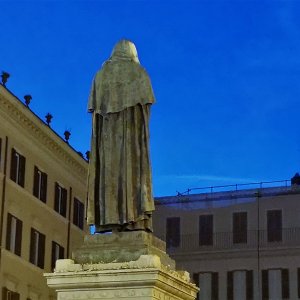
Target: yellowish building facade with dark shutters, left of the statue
42, 195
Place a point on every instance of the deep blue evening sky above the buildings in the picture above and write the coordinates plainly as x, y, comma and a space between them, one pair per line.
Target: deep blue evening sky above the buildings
226, 75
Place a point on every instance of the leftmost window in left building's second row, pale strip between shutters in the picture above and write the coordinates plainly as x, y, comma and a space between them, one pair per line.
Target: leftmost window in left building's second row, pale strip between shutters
13, 234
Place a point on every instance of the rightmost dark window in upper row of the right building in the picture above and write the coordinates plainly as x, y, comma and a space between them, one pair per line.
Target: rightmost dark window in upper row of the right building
274, 224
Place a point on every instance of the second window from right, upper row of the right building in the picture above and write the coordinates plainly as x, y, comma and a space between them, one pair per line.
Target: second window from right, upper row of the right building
239, 227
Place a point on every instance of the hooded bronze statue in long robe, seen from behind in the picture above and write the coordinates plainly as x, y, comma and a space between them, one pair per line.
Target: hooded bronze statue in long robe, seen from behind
119, 180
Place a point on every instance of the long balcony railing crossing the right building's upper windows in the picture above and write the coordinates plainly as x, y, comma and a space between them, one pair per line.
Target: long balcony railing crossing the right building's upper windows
252, 239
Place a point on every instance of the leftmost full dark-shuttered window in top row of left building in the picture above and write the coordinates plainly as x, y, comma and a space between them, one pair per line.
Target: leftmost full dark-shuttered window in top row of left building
17, 167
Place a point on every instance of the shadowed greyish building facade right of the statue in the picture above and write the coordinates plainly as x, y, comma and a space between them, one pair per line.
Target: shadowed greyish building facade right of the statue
241, 244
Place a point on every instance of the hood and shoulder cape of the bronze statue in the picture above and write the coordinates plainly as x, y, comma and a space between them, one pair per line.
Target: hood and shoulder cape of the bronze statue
121, 83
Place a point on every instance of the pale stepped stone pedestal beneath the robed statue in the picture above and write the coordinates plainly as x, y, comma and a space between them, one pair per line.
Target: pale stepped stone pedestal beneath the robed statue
123, 266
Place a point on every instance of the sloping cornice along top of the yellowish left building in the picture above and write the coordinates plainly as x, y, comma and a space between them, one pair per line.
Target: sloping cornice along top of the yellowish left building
20, 114
